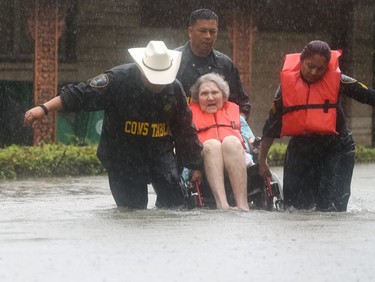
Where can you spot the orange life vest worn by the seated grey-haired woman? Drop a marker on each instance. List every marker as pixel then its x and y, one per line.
pixel 225 122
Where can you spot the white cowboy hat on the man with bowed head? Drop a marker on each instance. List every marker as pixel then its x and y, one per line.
pixel 158 64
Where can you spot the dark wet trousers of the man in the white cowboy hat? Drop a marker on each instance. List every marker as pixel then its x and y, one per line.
pixel 129 184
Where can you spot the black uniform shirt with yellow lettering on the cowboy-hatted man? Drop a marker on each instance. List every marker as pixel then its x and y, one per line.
pixel 138 125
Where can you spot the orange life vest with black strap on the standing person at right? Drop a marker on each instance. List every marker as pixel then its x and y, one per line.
pixel 309 108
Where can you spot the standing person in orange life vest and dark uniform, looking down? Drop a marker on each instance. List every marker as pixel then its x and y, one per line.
pixel 319 160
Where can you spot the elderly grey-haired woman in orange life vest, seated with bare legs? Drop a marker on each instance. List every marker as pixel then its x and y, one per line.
pixel 218 123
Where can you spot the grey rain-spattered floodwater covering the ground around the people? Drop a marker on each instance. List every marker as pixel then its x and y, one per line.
pixel 70 230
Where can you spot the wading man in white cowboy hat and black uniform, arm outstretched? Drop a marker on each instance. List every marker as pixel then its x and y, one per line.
pixel 146 118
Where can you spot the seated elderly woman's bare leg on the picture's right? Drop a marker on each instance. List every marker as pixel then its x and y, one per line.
pixel 235 165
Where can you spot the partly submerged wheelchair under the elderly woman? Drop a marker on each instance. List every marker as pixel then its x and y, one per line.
pixel 264 194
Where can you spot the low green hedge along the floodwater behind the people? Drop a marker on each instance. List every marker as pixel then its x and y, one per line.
pixel 73 160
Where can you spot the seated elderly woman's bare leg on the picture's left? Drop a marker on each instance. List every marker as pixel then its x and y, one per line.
pixel 214 168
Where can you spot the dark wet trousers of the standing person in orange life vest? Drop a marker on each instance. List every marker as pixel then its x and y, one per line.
pixel 318 172
